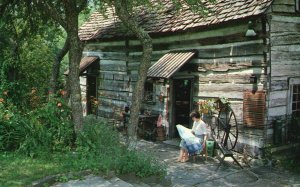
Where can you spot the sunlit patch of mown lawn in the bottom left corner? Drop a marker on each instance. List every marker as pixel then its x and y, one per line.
pixel 19 170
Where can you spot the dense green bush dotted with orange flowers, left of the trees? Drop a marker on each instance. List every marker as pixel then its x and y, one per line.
pixel 43 130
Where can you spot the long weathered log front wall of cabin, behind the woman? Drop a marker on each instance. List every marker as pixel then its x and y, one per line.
pixel 226 60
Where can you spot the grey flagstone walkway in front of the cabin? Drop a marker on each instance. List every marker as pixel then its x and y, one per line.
pixel 198 173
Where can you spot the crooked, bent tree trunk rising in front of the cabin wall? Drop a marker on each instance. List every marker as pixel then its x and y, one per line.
pixel 146 41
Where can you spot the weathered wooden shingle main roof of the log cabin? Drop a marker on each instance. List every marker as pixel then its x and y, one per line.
pixel 168 20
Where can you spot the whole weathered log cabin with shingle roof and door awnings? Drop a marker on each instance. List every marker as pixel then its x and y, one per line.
pixel 245 50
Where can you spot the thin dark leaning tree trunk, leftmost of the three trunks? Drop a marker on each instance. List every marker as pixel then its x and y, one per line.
pixel 56 66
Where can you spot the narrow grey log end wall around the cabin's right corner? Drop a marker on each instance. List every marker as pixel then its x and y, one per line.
pixel 285 61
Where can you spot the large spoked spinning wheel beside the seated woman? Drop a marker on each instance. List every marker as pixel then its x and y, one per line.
pixel 224 128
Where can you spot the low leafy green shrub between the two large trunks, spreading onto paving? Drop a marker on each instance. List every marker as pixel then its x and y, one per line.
pixel 100 143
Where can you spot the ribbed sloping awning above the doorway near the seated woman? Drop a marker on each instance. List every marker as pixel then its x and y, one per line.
pixel 170 63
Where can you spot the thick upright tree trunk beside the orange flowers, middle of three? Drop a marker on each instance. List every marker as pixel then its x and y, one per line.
pixel 75 53
